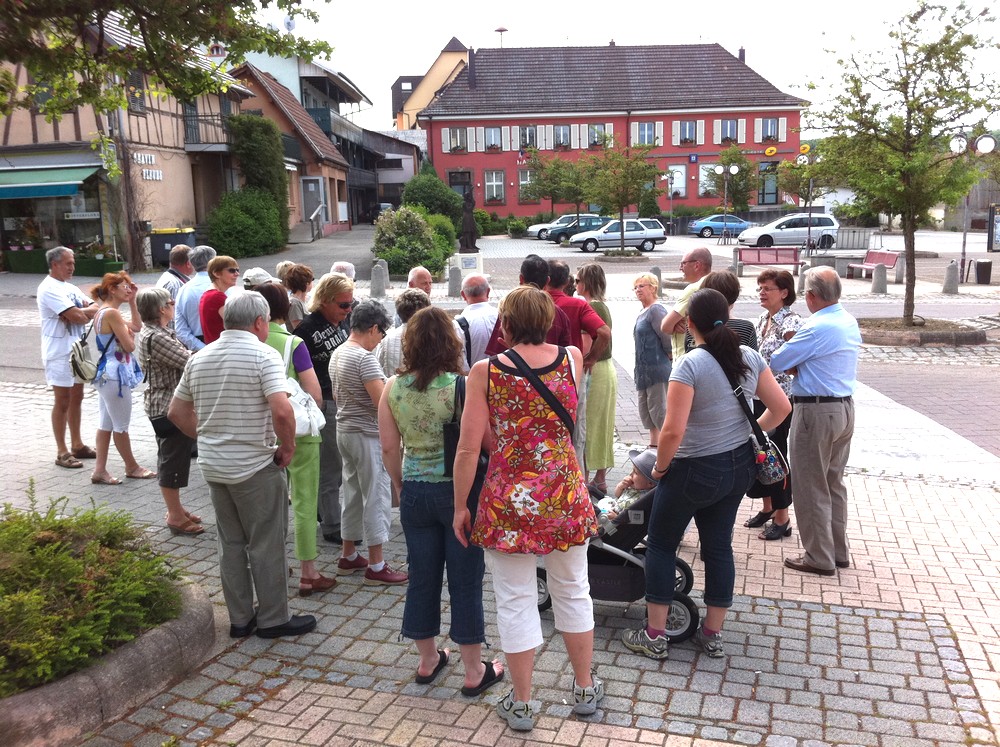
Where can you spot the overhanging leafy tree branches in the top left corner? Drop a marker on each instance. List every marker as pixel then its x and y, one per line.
pixel 74 49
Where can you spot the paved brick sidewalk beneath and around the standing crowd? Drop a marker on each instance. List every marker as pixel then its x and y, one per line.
pixel 900 649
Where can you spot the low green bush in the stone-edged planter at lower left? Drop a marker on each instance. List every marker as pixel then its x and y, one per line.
pixel 73 586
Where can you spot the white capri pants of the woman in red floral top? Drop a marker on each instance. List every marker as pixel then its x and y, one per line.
pixel 517 595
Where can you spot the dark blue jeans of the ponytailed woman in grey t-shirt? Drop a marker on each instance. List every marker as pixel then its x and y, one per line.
pixel 710 489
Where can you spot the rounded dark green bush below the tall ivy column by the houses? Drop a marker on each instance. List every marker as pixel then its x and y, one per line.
pixel 246 223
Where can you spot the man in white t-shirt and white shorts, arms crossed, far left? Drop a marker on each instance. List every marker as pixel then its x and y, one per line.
pixel 64 311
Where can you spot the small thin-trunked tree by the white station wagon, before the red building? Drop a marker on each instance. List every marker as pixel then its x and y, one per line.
pixel 618 177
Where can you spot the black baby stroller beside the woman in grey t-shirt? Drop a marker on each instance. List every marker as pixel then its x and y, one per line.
pixel 616 567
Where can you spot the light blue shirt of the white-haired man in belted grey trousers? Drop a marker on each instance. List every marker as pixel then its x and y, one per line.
pixel 825 353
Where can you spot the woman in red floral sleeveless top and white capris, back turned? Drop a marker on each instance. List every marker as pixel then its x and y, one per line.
pixel 534 500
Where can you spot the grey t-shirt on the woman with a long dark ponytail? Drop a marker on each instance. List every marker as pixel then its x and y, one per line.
pixel 717 423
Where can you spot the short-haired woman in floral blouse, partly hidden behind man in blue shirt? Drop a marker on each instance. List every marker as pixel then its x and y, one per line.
pixel 776 325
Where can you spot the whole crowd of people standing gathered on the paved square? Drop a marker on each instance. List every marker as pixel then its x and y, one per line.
pixel 531 387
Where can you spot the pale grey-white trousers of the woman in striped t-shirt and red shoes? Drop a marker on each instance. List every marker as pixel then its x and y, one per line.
pixel 366 492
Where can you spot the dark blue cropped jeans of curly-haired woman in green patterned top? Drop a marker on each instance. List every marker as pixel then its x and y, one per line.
pixel 426 510
